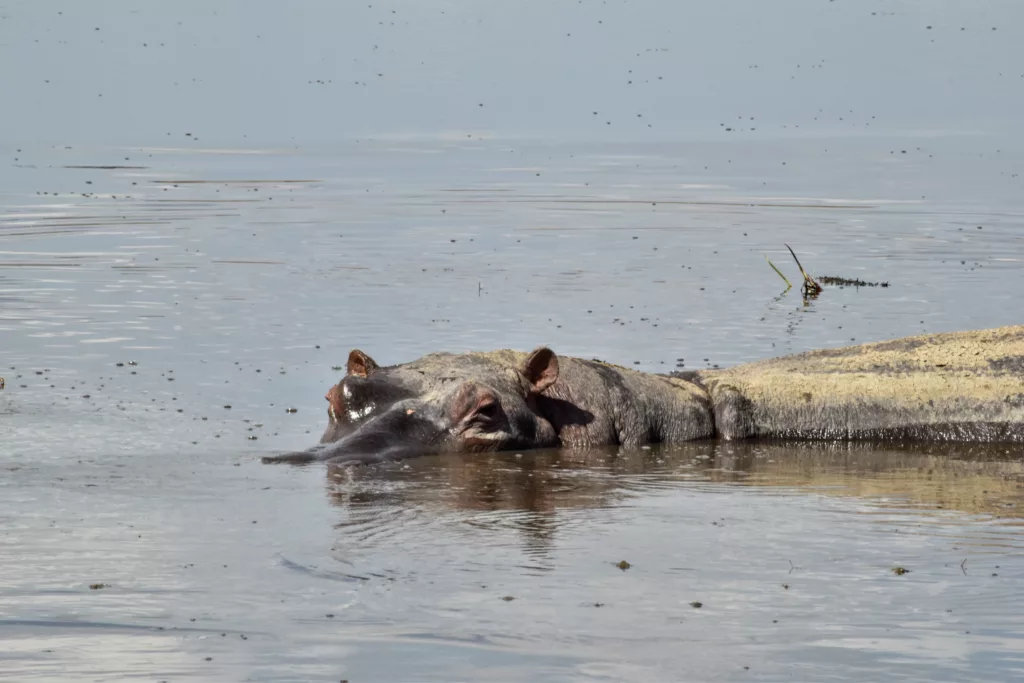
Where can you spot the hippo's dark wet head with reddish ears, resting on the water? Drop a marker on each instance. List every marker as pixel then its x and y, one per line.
pixel 440 404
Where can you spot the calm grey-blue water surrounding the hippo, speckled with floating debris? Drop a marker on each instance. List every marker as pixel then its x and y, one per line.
pixel 233 196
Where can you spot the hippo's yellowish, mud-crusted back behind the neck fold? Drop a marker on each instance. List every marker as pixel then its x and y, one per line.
pixel 965 387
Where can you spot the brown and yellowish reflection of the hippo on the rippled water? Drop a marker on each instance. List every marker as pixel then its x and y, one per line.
pixel 528 491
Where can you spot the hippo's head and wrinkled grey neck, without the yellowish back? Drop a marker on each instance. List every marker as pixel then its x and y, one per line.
pixel 500 401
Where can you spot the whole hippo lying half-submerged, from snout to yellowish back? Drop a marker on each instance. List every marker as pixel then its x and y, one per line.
pixel 955 388
